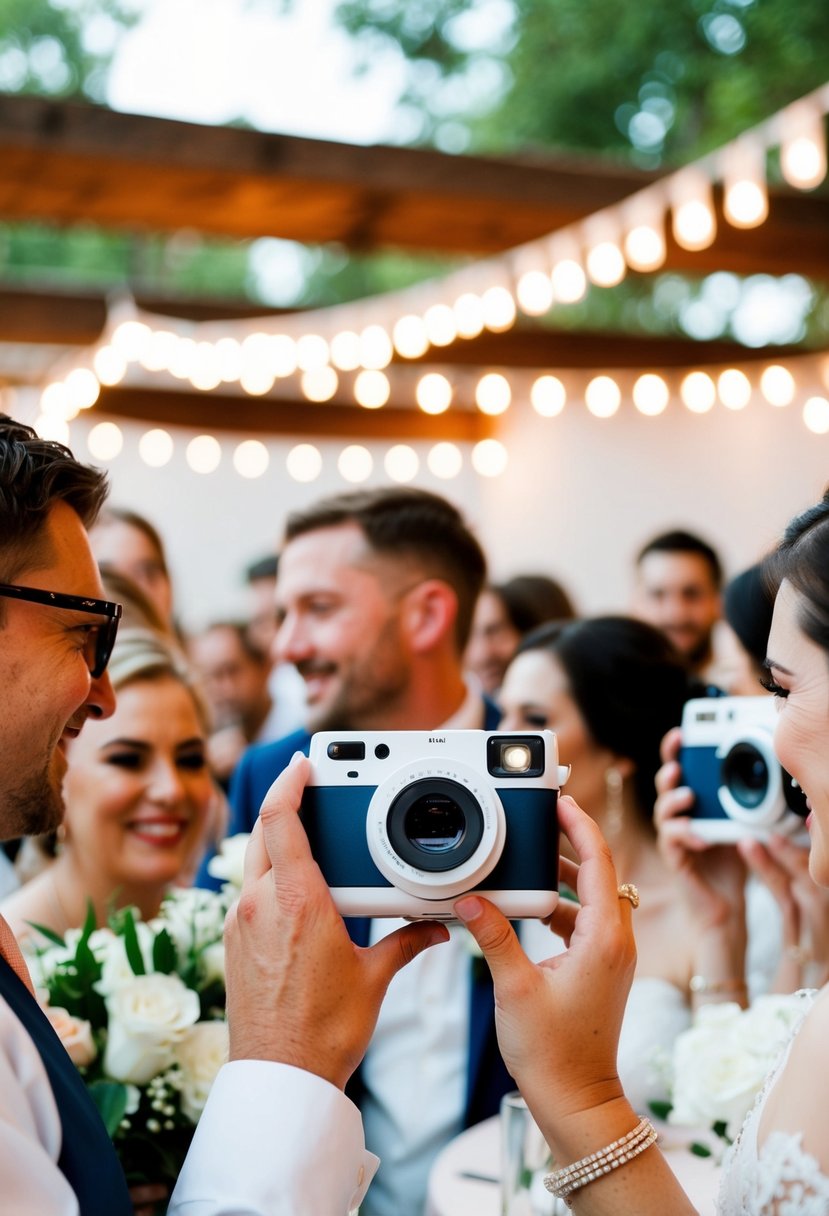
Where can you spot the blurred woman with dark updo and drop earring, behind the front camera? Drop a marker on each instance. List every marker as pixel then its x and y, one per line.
pixel 611 688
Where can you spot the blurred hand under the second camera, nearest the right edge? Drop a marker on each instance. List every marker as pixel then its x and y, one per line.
pixel 783 866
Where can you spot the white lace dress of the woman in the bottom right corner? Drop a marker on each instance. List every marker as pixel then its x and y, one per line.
pixel 781 1180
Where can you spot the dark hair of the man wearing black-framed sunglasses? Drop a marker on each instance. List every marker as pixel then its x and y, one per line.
pixel 35 475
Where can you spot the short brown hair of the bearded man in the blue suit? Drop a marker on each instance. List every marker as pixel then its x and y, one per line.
pixel 403 522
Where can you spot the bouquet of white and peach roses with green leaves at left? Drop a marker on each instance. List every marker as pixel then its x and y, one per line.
pixel 140 1007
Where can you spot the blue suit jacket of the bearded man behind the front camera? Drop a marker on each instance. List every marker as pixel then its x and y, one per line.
pixel 487 1074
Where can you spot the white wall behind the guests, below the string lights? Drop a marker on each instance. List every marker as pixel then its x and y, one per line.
pixel 578 500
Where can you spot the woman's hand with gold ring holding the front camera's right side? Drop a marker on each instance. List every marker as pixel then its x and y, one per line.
pixel 559 1022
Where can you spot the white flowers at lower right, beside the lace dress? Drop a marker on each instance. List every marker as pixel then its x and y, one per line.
pixel 721 1062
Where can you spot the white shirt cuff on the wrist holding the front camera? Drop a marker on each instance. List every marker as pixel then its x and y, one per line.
pixel 278 1141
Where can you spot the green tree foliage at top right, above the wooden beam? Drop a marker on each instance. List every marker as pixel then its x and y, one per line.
pixel 653 82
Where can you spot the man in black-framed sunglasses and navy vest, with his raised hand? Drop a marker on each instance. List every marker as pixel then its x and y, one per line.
pixel 278 1135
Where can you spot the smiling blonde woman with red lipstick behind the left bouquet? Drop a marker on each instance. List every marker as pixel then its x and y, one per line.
pixel 138 796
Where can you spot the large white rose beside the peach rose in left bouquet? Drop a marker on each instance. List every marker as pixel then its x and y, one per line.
pixel 148 1015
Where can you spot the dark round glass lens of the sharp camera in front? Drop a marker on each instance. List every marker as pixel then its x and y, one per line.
pixel 436 825
